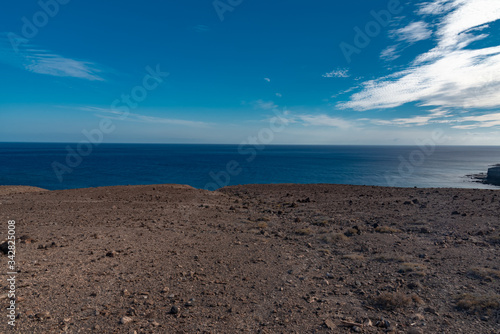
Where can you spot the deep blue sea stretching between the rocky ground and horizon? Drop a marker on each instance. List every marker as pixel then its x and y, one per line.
pixel 61 166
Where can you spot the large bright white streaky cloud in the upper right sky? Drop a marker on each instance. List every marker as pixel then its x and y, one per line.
pixel 450 75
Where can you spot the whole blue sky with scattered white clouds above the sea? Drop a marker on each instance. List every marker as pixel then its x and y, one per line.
pixel 359 72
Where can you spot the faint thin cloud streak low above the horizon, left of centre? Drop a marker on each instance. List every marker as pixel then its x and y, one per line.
pixel 109 113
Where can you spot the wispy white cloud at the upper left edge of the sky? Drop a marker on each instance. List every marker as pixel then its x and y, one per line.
pixel 37 60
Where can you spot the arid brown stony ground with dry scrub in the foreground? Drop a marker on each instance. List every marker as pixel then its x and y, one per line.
pixel 253 259
